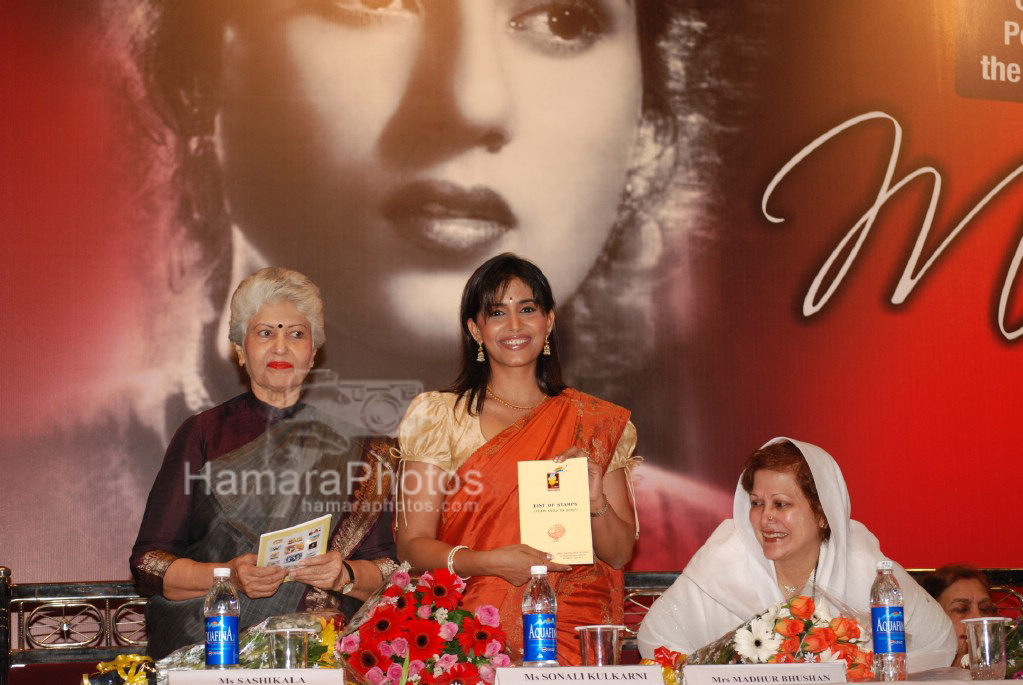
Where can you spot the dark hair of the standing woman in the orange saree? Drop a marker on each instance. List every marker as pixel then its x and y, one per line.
pixel 482 292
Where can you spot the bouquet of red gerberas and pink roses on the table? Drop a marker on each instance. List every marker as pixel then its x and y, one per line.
pixel 416 633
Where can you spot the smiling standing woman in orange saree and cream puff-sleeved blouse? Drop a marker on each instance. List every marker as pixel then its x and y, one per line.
pixel 510 404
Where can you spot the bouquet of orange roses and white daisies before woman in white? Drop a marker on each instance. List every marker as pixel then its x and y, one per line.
pixel 796 631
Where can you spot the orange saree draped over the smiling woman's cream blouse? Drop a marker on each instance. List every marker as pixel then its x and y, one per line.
pixel 483 514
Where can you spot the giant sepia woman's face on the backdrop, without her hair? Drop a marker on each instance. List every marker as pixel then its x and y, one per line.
pixel 387 149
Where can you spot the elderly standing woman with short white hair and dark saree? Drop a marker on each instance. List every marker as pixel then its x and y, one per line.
pixel 263 462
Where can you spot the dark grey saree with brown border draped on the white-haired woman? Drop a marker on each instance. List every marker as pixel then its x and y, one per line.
pixel 292 473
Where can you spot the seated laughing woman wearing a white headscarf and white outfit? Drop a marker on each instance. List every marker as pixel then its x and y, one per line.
pixel 791 534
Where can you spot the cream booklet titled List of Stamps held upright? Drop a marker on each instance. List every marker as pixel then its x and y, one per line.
pixel 554 510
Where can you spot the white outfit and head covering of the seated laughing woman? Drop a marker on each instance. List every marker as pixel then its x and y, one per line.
pixel 729 580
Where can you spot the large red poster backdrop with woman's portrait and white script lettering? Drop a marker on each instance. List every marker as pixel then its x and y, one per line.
pixel 765 219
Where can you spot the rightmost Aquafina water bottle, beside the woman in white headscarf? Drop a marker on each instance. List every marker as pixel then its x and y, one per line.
pixel 888 619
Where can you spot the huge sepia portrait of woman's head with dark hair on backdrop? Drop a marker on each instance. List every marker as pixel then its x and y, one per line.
pixel 387 149
